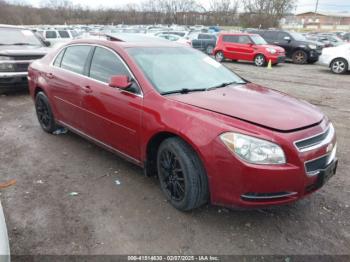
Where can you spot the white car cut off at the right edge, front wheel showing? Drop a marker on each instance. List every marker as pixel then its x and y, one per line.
pixel 336 58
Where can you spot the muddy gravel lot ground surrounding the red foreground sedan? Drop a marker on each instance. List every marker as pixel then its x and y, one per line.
pixel 119 211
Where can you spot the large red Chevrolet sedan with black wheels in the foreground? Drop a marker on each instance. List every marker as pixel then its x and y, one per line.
pixel 208 134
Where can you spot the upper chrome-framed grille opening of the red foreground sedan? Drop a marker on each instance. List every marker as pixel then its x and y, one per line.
pixel 316 141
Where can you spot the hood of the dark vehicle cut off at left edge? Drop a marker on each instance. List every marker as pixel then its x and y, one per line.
pixel 14 50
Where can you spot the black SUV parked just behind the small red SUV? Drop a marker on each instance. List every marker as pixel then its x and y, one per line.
pixel 298 48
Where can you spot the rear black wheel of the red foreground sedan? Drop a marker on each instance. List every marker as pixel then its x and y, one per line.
pixel 44 113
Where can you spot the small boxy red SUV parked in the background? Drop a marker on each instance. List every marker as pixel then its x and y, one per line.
pixel 248 47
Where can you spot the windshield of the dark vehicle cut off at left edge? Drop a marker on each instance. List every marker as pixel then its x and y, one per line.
pixel 10 36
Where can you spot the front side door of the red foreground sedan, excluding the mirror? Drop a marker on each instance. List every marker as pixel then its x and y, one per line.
pixel 113 116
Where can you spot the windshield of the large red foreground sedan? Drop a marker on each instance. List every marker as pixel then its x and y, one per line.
pixel 175 68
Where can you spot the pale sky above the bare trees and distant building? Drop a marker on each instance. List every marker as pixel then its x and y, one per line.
pixel 302 5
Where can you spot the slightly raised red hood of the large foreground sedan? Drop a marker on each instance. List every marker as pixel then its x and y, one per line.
pixel 256 104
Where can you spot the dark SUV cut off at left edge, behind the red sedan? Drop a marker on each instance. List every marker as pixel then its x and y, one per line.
pixel 18 48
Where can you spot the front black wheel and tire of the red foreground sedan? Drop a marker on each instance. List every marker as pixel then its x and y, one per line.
pixel 181 174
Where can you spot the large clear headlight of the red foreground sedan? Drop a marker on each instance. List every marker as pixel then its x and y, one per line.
pixel 254 150
